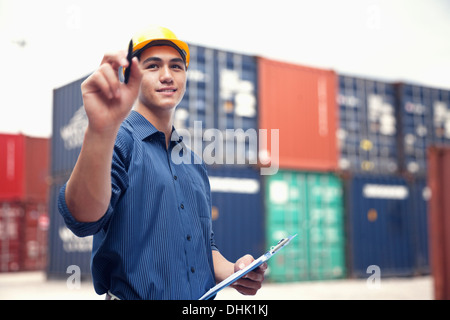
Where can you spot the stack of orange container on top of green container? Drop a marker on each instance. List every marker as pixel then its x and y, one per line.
pixel 305 196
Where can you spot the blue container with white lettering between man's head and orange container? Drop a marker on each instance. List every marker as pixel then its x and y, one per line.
pixel 220 96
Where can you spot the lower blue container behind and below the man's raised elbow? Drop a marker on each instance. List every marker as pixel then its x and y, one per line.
pixel 65 249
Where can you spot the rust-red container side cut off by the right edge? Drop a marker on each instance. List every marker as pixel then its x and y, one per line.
pixel 439 182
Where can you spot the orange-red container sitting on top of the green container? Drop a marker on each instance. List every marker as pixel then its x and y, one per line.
pixel 300 102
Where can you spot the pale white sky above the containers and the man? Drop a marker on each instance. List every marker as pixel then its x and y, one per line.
pixel 49 43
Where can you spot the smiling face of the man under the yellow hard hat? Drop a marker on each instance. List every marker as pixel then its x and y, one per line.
pixel 164 78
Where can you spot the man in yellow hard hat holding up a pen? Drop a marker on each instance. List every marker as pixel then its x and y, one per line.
pixel 150 217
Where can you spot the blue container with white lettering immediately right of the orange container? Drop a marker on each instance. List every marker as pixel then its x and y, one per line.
pixel 367 133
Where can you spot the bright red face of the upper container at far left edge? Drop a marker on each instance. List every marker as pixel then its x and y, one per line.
pixel 12 167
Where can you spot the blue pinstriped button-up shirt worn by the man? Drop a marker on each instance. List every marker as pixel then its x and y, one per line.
pixel 155 240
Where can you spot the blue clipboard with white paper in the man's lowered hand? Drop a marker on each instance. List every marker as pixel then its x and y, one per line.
pixel 255 264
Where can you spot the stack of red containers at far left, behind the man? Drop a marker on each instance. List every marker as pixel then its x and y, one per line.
pixel 23 202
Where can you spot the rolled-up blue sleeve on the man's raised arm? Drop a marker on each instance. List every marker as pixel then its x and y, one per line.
pixel 119 183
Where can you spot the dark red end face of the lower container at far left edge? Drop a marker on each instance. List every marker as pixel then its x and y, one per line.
pixel 10 231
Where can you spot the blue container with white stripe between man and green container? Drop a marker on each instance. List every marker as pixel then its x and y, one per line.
pixel 238 212
